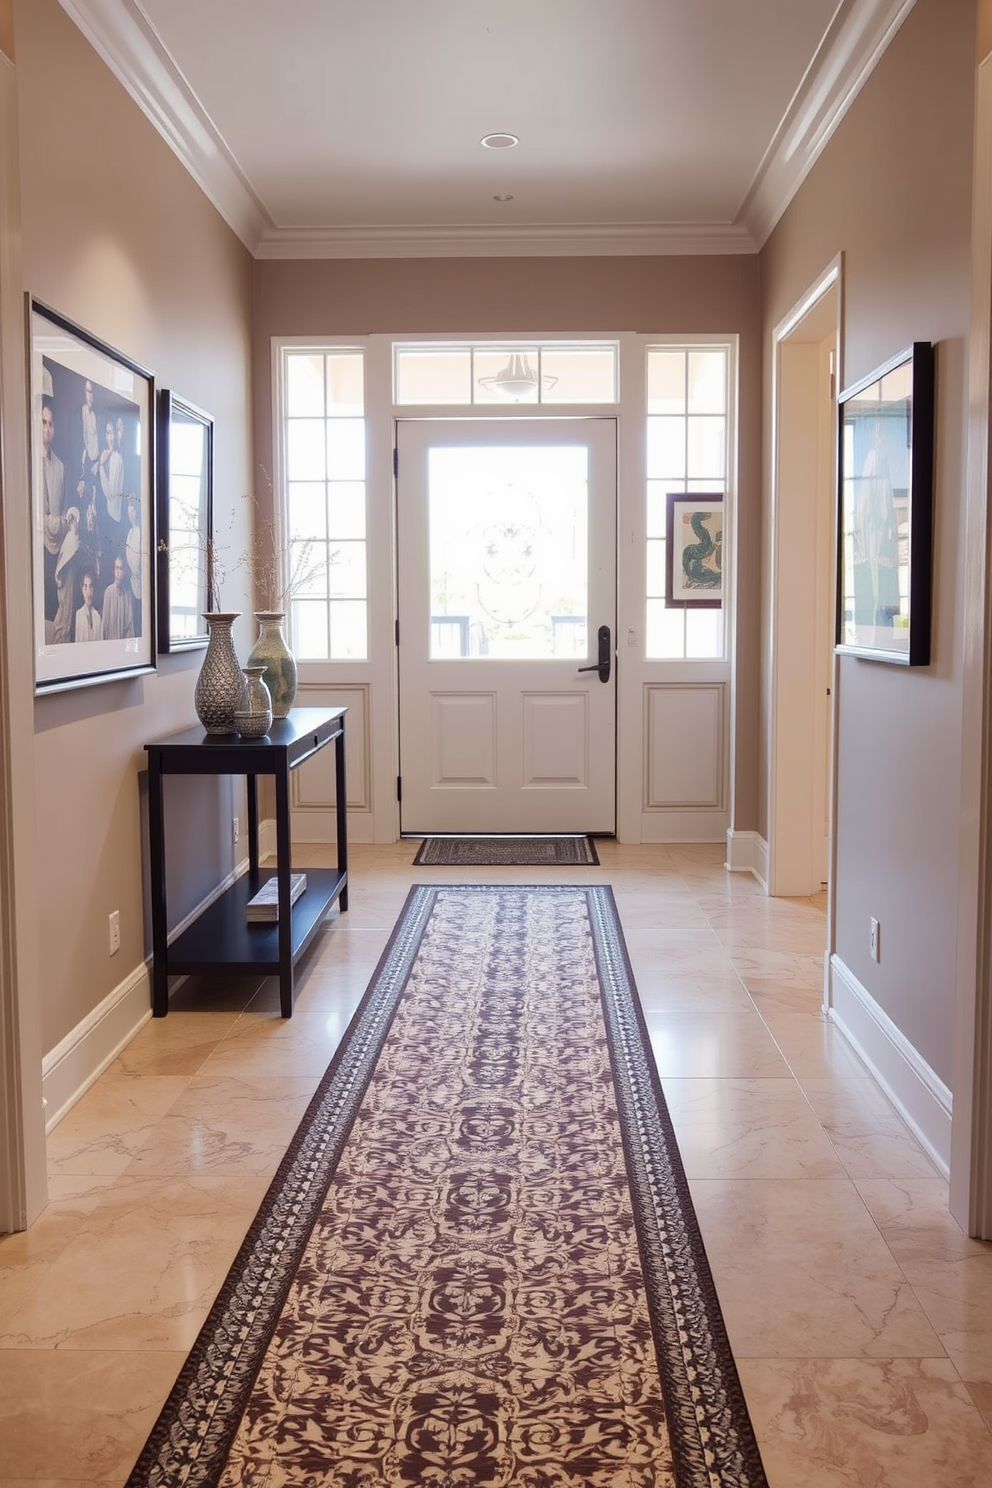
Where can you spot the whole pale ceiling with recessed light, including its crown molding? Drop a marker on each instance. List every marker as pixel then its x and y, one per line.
pixel 352 129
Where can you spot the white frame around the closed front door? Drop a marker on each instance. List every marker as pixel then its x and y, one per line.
pixel 478 417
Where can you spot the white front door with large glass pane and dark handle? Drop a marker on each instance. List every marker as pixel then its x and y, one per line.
pixel 506 593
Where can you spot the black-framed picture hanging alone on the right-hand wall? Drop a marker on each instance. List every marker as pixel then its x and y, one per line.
pixel 886 466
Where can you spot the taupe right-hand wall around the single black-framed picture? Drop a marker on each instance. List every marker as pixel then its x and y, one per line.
pixel 893 193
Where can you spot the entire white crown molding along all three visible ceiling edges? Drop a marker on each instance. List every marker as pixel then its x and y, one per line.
pixel 124 38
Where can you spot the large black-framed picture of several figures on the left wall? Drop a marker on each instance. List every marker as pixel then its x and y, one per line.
pixel 93 513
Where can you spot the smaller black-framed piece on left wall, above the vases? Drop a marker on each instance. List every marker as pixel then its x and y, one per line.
pixel 185 522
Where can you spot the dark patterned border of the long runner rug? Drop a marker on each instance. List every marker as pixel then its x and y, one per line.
pixel 710 1429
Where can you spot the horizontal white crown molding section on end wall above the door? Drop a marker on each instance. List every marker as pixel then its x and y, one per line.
pixel 530 242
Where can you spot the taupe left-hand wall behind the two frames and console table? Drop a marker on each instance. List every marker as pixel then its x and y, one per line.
pixel 120 239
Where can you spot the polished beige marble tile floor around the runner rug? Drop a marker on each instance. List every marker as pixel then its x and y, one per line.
pixel 860 1315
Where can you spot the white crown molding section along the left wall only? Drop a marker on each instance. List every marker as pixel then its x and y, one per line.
pixel 123 35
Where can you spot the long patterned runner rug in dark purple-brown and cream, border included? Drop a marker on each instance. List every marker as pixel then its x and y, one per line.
pixel 478 1263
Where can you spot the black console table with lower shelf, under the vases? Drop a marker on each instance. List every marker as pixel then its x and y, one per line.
pixel 221 940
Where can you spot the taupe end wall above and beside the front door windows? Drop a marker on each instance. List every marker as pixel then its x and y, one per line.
pixel 554 297
